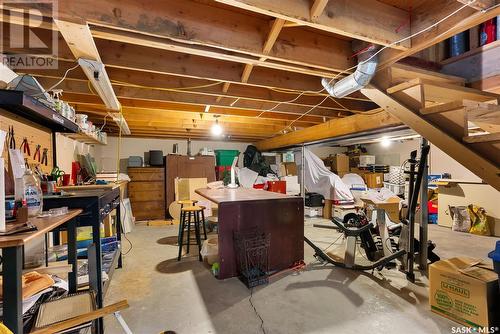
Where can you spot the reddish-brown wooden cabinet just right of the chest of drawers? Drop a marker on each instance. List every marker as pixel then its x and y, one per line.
pixel 183 166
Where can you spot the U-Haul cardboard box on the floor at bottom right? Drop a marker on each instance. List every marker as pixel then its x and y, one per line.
pixel 464 290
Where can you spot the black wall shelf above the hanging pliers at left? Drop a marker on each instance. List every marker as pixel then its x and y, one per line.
pixel 30 108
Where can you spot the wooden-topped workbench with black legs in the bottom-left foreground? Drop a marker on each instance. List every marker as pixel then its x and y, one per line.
pixel 12 263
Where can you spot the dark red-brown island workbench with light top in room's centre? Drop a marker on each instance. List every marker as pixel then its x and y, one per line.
pixel 244 209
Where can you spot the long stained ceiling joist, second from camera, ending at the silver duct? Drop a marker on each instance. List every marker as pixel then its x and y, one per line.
pixel 194 23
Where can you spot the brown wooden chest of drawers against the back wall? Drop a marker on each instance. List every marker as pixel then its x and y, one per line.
pixel 146 192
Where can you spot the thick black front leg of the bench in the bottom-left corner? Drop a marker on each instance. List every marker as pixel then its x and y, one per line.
pixel 12 296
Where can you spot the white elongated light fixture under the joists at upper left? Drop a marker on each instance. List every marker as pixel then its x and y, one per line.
pixel 96 73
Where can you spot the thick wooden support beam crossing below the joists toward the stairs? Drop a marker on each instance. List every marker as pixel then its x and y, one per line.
pixel 331 129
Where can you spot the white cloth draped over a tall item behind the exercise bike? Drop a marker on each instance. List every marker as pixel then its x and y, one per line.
pixel 320 180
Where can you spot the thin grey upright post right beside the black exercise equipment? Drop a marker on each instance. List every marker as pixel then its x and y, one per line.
pixel 424 219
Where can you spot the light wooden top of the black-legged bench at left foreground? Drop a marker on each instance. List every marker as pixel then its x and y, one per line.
pixel 44 225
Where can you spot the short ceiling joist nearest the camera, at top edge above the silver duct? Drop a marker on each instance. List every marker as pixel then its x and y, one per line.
pixel 367 20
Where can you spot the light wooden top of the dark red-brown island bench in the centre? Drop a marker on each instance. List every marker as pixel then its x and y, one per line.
pixel 239 195
